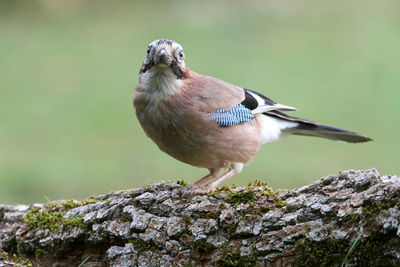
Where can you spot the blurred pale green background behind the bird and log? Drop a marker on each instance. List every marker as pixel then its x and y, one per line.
pixel 68 70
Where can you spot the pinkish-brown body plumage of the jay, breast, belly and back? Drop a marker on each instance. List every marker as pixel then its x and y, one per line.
pixel 180 125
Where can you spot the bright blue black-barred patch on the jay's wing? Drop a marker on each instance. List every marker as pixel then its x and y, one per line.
pixel 229 117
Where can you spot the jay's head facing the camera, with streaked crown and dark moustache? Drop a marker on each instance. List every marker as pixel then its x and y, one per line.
pixel 165 53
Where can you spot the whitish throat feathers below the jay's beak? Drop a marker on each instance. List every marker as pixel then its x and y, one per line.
pixel 159 82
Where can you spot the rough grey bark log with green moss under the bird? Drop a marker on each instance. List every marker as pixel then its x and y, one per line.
pixel 162 225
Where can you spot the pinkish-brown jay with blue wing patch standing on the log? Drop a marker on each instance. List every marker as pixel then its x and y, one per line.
pixel 209 123
